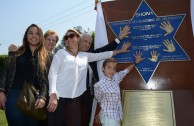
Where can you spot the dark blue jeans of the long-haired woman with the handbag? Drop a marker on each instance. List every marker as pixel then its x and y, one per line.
pixel 13 115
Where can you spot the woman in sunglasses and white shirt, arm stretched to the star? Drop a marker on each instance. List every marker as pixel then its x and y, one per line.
pixel 67 80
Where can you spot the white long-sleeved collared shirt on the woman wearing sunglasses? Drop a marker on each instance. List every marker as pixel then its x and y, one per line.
pixel 67 74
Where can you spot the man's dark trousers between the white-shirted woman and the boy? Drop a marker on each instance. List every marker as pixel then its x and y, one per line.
pixel 86 107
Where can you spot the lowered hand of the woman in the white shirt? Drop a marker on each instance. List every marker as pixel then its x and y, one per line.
pixel 53 103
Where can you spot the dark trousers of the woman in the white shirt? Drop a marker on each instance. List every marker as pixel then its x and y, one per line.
pixel 68 113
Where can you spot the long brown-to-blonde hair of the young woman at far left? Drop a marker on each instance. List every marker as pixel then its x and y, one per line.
pixel 41 50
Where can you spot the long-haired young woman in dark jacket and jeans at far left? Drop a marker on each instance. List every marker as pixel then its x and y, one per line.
pixel 29 63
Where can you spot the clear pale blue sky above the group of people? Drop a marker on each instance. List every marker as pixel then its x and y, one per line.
pixel 57 15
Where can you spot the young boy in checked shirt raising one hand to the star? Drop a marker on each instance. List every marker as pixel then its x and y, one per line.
pixel 107 91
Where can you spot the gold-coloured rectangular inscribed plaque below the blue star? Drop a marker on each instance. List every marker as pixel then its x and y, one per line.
pixel 148 108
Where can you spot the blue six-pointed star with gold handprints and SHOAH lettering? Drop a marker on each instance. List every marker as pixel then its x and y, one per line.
pixel 153 36
